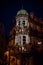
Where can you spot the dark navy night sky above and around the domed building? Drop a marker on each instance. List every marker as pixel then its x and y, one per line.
pixel 8 10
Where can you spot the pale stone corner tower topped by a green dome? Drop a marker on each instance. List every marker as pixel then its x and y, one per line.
pixel 22 29
